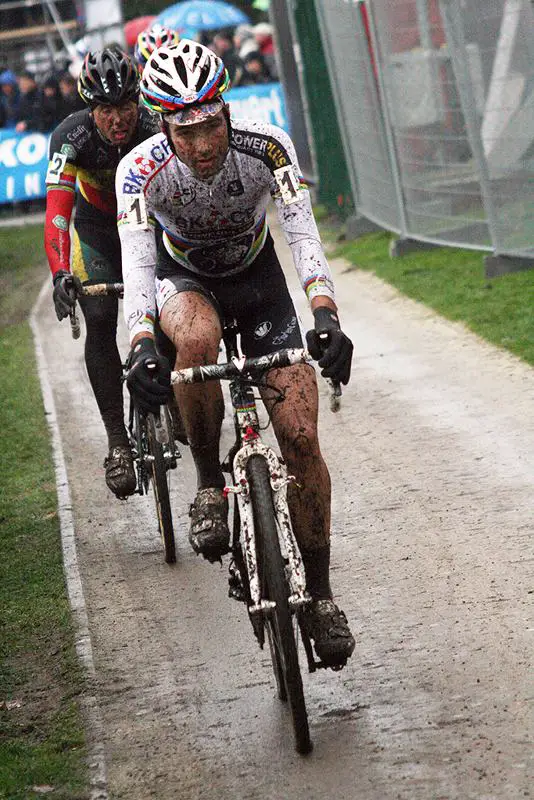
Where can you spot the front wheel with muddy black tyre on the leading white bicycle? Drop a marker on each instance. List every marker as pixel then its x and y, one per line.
pixel 274 587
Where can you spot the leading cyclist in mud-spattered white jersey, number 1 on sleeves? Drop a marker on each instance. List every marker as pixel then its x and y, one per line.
pixel 206 181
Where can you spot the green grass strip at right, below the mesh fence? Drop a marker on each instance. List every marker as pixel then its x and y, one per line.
pixel 452 282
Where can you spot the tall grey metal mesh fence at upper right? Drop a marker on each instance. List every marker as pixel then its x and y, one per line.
pixel 435 99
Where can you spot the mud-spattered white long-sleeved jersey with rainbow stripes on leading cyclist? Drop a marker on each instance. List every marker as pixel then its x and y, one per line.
pixel 214 228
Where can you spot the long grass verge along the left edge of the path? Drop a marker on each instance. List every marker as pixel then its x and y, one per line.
pixel 41 733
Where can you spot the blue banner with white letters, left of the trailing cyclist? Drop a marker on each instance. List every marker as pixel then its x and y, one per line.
pixel 23 165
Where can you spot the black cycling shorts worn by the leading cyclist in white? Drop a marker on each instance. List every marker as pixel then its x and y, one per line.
pixel 257 298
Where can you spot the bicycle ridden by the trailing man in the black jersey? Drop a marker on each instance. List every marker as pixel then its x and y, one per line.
pixel 154 448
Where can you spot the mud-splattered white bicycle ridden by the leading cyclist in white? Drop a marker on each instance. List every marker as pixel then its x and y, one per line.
pixel 266 570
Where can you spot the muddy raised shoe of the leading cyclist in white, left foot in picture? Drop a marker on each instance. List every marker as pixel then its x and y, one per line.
pixel 209 534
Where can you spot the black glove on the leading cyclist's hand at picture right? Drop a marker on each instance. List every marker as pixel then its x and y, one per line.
pixel 329 346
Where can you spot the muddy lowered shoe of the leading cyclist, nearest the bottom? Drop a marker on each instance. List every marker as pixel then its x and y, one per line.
pixel 327 625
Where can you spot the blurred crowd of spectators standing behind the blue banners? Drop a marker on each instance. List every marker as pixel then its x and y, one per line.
pixel 28 104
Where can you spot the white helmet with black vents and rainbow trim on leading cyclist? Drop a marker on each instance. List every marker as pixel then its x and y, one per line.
pixel 182 75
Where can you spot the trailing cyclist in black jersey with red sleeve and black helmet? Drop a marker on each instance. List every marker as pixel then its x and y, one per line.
pixel 85 149
